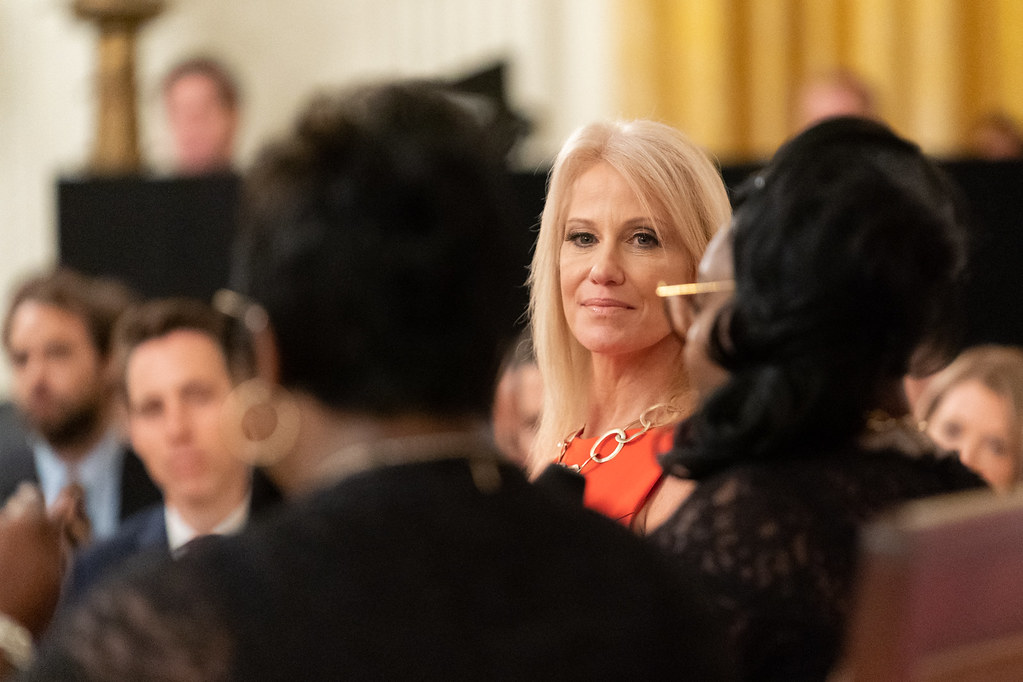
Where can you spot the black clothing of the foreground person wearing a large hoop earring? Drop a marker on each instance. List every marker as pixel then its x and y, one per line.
pixel 426 571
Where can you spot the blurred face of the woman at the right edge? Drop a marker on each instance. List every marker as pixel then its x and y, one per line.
pixel 977 424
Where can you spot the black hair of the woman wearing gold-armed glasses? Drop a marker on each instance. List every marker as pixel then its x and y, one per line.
pixel 850 257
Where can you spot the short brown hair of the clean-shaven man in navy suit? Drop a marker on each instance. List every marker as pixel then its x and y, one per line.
pixel 158 319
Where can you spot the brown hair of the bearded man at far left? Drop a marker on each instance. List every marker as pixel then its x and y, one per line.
pixel 97 301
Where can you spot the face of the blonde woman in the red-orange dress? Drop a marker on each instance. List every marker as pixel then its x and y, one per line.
pixel 613 256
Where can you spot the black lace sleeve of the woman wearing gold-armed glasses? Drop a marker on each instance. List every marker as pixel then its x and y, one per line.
pixel 780 580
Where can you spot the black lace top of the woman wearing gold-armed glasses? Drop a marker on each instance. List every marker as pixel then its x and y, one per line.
pixel 776 547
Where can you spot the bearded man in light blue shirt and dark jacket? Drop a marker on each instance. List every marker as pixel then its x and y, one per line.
pixel 58 337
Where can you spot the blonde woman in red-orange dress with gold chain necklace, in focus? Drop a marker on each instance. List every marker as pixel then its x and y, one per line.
pixel 630 205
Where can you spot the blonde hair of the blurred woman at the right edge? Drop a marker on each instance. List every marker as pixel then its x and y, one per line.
pixel 1000 369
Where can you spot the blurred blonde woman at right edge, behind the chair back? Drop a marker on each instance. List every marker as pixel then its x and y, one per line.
pixel 975 407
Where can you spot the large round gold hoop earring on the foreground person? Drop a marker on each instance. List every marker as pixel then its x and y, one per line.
pixel 259 423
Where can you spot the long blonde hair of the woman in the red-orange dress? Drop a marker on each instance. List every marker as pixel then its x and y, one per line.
pixel 676 181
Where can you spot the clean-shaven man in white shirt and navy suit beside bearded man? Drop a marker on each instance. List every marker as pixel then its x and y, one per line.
pixel 180 366
